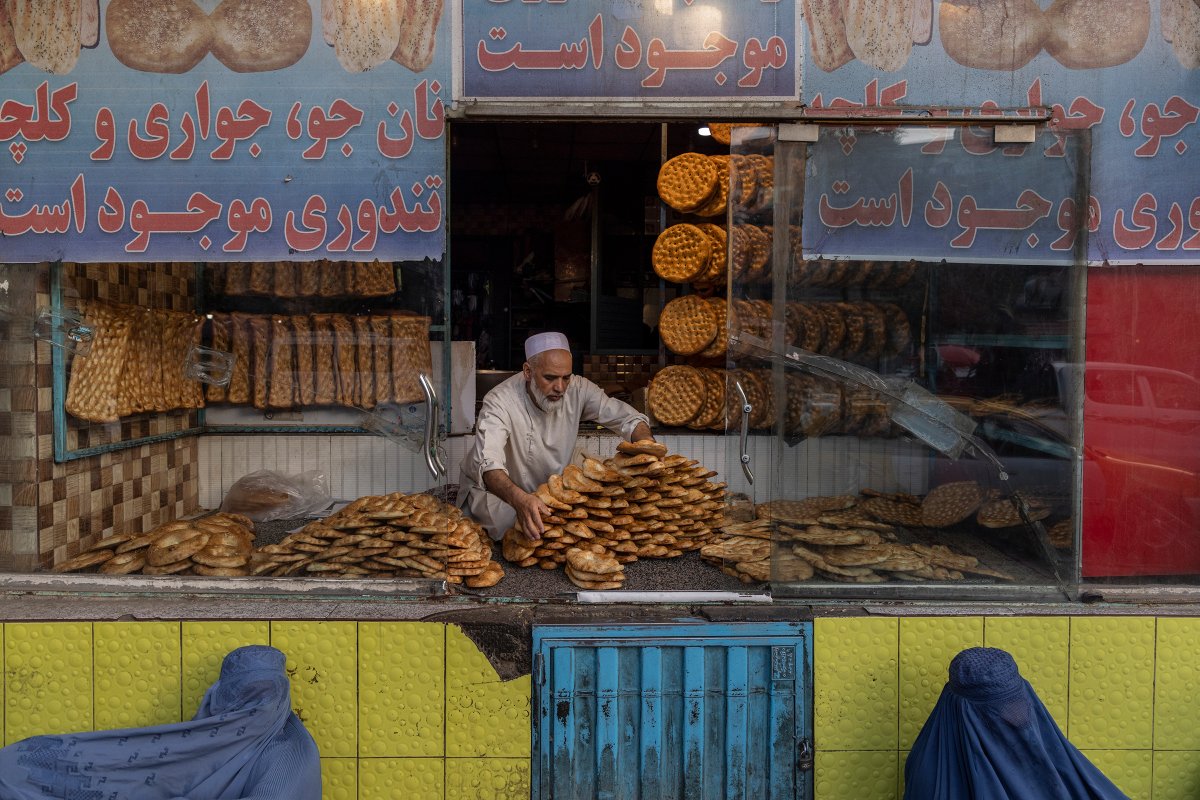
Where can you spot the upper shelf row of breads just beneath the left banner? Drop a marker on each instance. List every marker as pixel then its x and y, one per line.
pixel 285 280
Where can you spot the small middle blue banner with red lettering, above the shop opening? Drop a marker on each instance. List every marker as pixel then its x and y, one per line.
pixel 647 51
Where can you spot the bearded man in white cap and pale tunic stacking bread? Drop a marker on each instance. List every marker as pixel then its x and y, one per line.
pixel 526 432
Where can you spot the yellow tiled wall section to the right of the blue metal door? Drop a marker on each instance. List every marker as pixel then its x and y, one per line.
pixel 1121 688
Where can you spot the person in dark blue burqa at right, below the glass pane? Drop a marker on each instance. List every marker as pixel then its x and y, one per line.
pixel 991 738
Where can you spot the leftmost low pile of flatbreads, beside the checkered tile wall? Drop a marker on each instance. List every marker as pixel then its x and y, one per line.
pixel 220 545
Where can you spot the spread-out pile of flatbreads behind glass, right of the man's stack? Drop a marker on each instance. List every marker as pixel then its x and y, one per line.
pixel 844 539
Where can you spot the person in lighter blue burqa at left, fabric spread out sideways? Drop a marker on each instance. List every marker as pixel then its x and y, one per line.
pixel 243 744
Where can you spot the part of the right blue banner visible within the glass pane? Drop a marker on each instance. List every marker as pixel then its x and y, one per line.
pixel 937 194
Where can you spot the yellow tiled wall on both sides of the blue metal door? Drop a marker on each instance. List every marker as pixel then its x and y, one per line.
pixel 415 711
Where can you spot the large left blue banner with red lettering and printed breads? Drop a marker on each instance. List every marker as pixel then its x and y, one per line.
pixel 206 133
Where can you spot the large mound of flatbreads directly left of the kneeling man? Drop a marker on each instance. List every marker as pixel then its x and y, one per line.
pixel 387 537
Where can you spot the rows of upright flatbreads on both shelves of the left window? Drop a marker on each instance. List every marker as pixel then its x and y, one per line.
pixel 146 360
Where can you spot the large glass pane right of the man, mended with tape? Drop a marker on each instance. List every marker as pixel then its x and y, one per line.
pixel 907 333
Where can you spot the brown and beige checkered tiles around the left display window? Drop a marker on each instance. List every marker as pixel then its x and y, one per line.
pixel 50 512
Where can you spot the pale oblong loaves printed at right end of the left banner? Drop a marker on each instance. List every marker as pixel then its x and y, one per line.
pixel 365 34
